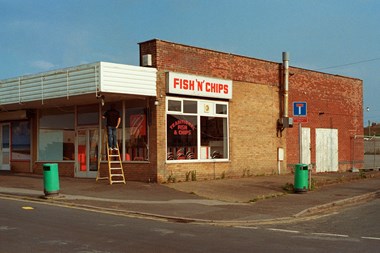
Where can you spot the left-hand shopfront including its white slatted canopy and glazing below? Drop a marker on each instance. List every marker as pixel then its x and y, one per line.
pixel 64 123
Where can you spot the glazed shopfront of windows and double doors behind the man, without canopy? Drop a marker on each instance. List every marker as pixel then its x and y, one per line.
pixel 76 134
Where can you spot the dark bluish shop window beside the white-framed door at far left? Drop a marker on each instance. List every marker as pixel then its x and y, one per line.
pixel 21 140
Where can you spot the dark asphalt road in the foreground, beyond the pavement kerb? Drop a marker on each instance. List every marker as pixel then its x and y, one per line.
pixel 35 227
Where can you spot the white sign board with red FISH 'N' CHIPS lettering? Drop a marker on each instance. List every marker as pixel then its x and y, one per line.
pixel 201 86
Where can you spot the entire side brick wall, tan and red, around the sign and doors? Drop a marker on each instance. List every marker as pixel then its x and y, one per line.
pixel 255 109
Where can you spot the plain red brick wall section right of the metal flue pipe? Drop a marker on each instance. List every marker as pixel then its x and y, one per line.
pixel 333 102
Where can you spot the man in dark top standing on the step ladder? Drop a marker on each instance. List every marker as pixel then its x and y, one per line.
pixel 113 119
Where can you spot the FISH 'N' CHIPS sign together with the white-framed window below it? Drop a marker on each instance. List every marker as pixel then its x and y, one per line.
pixel 197 129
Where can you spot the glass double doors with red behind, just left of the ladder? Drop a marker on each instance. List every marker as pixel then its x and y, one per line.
pixel 87 152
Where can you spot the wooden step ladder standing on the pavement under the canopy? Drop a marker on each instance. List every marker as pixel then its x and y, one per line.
pixel 115 166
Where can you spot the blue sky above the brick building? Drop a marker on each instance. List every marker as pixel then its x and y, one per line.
pixel 41 35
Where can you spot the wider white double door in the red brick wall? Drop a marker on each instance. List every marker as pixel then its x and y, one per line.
pixel 326 150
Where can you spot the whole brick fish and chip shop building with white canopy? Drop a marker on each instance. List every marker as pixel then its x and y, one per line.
pixel 186 112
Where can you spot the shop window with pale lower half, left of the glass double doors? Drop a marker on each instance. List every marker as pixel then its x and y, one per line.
pixel 56 134
